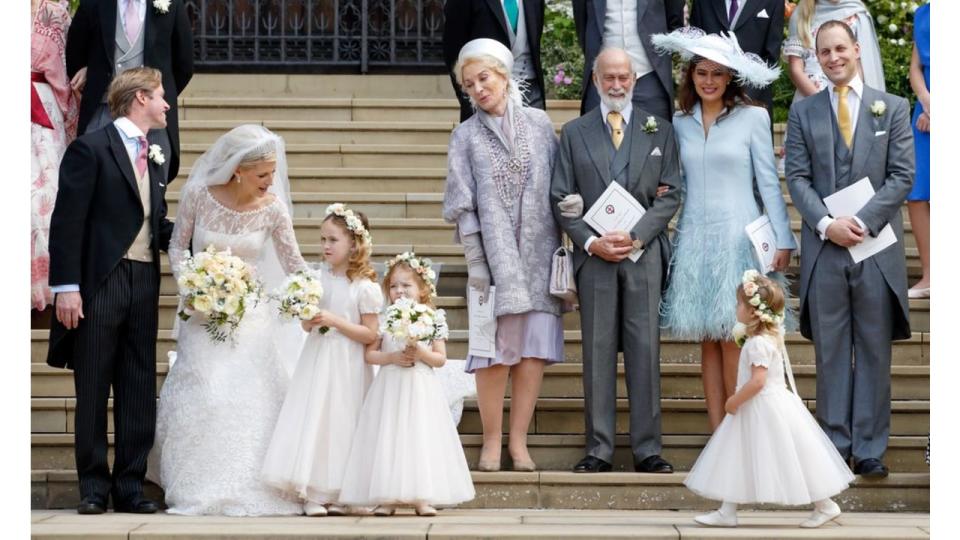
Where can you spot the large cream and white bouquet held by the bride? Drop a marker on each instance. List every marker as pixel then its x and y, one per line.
pixel 218 286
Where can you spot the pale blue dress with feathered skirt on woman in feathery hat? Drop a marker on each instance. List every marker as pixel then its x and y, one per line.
pixel 711 249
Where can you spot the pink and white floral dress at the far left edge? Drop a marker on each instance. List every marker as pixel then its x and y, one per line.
pixel 47 43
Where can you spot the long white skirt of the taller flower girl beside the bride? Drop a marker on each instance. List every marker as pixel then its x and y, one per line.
pixel 313 434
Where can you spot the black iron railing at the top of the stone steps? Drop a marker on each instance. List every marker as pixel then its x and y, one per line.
pixel 317 35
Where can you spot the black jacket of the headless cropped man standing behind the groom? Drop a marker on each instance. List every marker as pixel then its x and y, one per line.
pixel 168 46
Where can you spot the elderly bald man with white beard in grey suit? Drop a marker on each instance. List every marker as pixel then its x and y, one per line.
pixel 619 298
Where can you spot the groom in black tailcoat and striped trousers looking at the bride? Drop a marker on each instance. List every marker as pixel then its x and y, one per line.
pixel 108 227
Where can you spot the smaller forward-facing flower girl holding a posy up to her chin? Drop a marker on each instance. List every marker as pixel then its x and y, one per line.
pixel 406 450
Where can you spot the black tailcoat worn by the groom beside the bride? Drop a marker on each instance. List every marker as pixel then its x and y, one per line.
pixel 97 215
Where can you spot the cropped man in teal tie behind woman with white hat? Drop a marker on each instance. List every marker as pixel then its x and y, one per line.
pixel 518 24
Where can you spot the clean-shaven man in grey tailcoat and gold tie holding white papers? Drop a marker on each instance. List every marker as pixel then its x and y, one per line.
pixel 851 311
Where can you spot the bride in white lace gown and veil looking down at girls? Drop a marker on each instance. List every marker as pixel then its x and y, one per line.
pixel 220 401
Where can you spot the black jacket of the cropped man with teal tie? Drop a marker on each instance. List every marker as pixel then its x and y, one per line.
pixel 471 19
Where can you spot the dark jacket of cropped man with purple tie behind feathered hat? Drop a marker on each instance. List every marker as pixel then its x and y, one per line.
pixel 762 36
